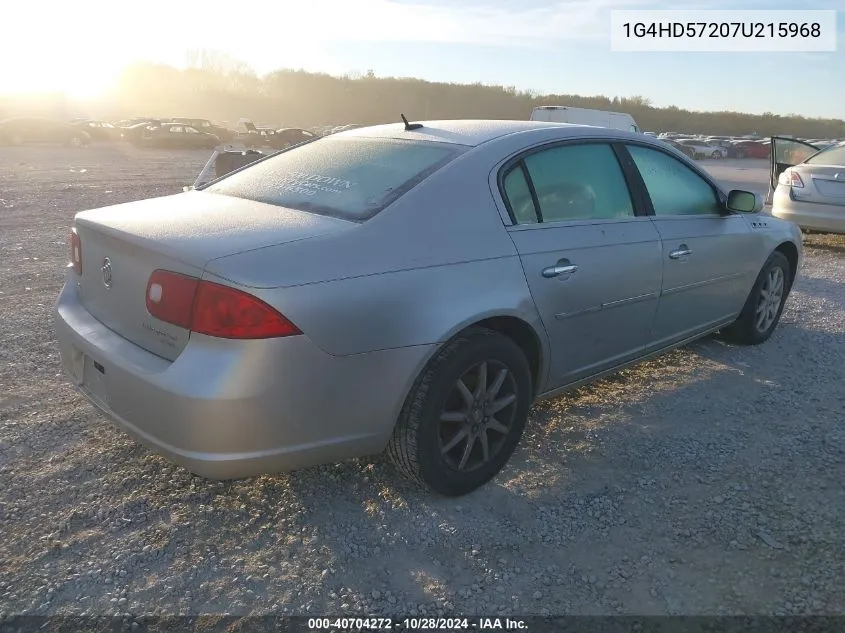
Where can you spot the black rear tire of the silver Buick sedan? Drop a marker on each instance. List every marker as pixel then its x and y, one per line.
pixel 416 447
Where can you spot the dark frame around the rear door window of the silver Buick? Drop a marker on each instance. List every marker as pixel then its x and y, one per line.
pixel 630 176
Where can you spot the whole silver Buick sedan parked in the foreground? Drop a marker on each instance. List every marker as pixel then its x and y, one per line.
pixel 243 332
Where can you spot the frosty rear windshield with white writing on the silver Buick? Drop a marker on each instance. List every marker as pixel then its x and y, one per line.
pixel 350 178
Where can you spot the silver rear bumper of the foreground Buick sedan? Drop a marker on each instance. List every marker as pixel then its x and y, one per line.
pixel 228 409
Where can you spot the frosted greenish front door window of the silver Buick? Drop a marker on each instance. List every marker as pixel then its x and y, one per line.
pixel 674 188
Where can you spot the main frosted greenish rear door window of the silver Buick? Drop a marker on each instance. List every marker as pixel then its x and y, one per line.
pixel 579 182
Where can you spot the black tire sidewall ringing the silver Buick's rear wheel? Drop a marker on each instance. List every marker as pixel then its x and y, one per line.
pixel 434 470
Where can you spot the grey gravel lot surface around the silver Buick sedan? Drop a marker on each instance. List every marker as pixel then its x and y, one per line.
pixel 708 481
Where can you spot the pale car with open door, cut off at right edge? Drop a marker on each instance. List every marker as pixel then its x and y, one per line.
pixel 808 184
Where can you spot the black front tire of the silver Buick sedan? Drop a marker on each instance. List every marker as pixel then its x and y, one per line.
pixel 748 328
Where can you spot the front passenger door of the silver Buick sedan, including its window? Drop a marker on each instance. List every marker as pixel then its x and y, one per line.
pixel 709 255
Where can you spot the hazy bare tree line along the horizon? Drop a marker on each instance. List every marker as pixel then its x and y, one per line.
pixel 217 86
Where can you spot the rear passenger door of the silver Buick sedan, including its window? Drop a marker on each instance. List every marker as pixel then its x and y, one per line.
pixel 593 265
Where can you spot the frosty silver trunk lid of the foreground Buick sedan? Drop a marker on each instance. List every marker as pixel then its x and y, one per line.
pixel 122 245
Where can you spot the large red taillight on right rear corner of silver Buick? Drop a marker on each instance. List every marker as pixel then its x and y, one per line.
pixel 213 309
